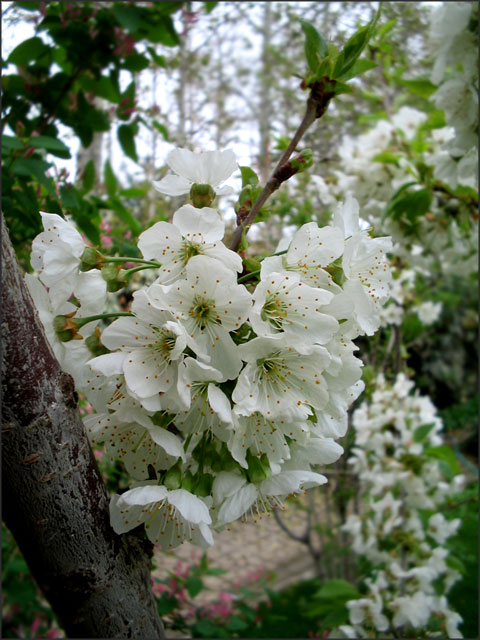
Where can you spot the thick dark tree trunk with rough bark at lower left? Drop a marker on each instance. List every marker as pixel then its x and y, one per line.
pixel 54 500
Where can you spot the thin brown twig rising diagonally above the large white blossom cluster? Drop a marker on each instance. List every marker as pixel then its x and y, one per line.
pixel 317 104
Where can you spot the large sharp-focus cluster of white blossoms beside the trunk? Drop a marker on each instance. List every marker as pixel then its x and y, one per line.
pixel 219 392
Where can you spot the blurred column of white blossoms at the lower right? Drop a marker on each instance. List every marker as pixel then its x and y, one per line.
pixel 401 531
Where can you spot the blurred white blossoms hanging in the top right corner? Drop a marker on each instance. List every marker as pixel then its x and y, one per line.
pixel 454 47
